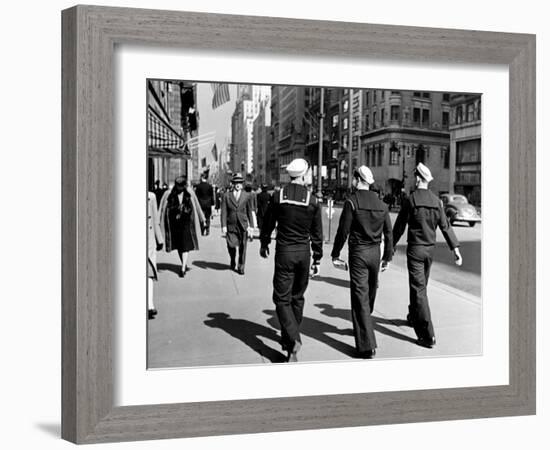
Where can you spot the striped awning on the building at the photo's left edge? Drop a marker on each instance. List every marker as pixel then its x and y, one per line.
pixel 163 139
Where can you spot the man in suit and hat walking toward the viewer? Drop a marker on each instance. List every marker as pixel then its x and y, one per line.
pixel 236 221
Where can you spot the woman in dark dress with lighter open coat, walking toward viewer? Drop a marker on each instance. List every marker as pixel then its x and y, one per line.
pixel 181 218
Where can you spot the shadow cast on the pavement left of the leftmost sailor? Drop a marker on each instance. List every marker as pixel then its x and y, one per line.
pixel 248 333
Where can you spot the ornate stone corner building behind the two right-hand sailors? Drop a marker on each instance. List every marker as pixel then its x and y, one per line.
pixel 401 129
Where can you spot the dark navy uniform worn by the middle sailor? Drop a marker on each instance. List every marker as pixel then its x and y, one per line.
pixel 365 218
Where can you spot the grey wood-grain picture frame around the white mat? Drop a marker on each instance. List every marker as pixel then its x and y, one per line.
pixel 89 36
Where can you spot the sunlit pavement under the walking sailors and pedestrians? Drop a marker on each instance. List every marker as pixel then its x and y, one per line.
pixel 215 317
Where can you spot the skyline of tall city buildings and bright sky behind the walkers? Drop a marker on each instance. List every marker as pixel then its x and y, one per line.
pixel 390 131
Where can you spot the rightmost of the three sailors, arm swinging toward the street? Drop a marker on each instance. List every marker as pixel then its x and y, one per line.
pixel 422 212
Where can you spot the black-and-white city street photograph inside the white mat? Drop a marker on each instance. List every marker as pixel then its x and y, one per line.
pixel 306 224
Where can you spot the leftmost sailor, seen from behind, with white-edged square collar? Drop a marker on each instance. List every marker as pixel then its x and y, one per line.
pixel 297 216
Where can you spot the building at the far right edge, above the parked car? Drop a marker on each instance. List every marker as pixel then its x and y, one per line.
pixel 465 147
